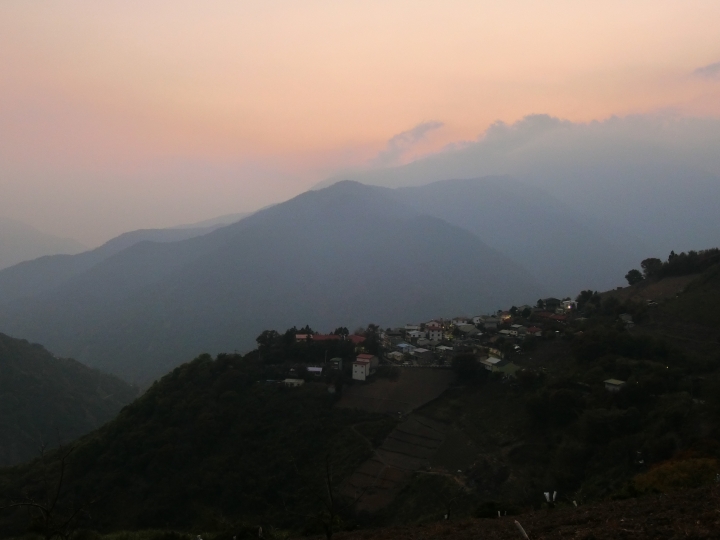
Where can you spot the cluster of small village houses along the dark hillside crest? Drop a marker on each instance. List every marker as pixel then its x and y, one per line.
pixel 499 342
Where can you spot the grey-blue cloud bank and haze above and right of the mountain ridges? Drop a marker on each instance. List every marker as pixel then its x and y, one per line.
pixel 650 182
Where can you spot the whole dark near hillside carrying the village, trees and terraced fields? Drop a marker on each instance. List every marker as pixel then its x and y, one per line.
pixel 612 395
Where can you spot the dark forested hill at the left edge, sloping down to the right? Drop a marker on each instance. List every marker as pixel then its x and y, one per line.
pixel 43 398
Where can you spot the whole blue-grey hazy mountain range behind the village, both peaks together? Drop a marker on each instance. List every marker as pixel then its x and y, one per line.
pixel 346 255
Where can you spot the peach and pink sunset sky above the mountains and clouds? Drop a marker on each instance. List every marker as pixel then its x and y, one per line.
pixel 117 115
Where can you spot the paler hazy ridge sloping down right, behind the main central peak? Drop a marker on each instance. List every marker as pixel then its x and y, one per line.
pixel 556 244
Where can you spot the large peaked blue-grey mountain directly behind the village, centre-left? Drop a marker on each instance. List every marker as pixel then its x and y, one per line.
pixel 349 254
